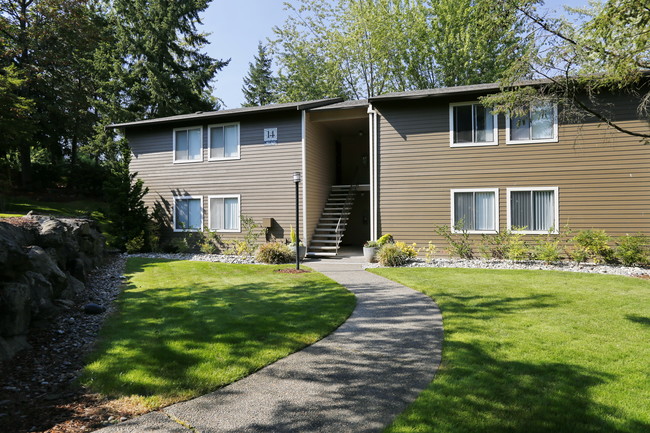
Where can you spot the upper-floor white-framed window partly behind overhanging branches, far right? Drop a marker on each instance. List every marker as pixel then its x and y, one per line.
pixel 538 126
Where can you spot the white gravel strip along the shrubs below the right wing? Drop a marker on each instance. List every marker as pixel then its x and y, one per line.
pixel 535 265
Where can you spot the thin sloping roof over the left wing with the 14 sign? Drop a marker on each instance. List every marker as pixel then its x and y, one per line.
pixel 222 113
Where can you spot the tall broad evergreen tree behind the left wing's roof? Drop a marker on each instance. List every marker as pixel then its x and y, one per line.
pixel 155 64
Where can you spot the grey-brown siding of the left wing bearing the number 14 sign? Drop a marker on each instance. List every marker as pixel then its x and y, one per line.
pixel 262 176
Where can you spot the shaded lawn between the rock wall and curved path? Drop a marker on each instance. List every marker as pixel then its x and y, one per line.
pixel 186 328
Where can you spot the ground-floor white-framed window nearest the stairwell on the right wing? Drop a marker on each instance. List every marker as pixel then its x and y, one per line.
pixel 475 210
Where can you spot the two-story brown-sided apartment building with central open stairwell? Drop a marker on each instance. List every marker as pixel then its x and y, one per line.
pixel 399 163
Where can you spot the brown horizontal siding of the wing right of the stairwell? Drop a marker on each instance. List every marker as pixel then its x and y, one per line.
pixel 603 176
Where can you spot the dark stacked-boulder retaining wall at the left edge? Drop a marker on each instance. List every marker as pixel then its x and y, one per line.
pixel 44 263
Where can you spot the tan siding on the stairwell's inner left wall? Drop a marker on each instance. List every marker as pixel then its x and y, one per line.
pixel 320 160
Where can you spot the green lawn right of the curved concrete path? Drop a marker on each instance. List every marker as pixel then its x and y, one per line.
pixel 534 351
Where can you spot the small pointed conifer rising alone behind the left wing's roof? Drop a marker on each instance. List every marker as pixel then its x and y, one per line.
pixel 259 86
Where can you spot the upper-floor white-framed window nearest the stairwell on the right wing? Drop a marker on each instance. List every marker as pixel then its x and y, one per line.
pixel 472 124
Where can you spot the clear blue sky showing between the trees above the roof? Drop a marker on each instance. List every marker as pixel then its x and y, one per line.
pixel 237 26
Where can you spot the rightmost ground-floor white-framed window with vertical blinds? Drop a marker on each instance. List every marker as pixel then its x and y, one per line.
pixel 533 210
